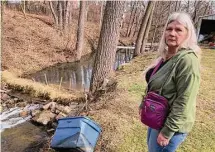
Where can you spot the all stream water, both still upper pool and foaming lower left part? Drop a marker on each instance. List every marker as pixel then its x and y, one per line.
pixel 18 134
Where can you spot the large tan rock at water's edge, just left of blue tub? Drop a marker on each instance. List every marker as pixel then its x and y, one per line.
pixel 44 117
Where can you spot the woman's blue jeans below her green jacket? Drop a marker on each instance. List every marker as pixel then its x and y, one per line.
pixel 174 142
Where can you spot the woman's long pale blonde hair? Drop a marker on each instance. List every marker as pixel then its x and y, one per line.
pixel 189 43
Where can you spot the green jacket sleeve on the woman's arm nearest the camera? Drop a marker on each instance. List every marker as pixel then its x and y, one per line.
pixel 187 81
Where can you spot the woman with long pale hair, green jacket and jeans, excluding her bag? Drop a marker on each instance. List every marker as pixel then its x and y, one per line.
pixel 181 82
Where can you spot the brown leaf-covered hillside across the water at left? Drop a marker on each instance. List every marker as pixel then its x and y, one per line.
pixel 32 43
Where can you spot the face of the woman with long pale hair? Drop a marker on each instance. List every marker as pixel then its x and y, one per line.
pixel 175 34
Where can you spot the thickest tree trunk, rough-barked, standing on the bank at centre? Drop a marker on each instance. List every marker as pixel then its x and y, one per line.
pixel 109 36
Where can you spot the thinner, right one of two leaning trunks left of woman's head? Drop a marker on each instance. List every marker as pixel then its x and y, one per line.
pixel 147 30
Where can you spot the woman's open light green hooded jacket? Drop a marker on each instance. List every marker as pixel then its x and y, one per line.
pixel 180 88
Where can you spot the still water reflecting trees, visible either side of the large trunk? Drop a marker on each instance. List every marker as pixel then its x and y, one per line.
pixel 77 75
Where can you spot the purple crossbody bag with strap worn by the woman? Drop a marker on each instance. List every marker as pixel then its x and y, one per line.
pixel 155 107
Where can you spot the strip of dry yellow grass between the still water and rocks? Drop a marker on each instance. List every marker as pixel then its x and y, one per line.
pixel 36 89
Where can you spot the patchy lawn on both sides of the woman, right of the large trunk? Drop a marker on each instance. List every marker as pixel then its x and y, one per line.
pixel 127 134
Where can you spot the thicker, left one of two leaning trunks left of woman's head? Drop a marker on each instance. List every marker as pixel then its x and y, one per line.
pixel 142 30
